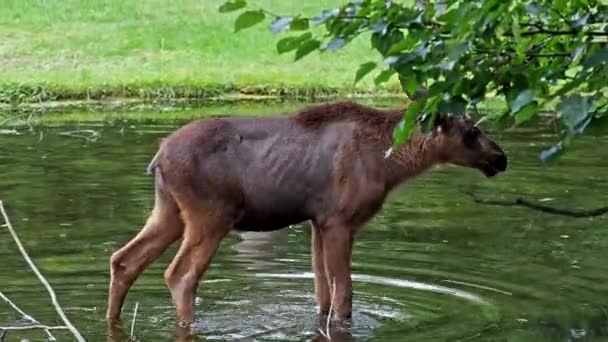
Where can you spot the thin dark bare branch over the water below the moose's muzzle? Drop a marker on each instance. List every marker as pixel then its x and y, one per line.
pixel 522 202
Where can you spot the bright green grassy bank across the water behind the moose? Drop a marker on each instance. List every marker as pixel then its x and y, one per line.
pixel 88 49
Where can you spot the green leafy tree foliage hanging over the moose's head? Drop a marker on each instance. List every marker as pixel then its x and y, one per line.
pixel 537 55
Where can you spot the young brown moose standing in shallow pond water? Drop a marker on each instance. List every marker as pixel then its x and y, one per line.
pixel 325 164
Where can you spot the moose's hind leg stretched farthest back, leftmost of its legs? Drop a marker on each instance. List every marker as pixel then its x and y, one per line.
pixel 162 228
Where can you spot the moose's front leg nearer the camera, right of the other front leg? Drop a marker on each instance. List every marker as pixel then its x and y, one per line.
pixel 337 249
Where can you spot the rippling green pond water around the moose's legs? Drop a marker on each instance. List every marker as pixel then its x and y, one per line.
pixel 432 266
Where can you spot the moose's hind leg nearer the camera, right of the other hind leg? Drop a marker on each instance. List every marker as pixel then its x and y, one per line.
pixel 202 237
